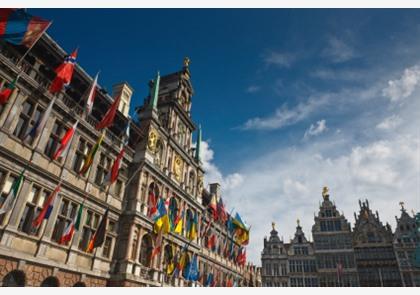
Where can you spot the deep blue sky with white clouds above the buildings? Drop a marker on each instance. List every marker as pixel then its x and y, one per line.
pixel 289 100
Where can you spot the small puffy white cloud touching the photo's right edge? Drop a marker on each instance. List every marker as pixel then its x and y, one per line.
pixel 403 87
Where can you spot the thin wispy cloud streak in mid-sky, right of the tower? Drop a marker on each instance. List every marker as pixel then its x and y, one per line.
pixel 285 116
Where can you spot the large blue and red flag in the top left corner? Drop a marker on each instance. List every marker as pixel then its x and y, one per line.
pixel 21 28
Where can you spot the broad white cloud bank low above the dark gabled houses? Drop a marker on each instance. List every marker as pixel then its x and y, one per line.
pixel 356 163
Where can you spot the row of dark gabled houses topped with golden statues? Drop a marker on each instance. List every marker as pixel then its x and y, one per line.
pixel 370 255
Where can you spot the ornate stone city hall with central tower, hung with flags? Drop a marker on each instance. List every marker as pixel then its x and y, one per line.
pixel 159 160
